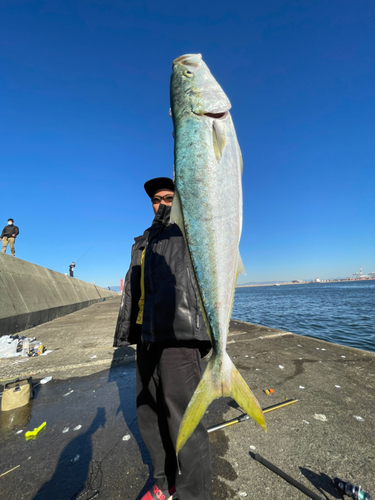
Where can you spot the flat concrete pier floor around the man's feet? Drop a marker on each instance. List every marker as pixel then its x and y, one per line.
pixel 330 432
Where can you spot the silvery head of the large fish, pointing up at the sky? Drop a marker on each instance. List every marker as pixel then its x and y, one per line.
pixel 194 89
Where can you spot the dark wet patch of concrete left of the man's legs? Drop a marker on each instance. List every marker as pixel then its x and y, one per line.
pixel 105 455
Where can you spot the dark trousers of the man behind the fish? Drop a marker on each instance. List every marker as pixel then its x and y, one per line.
pixel 166 379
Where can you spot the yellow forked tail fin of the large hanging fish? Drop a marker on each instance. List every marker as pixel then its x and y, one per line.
pixel 218 381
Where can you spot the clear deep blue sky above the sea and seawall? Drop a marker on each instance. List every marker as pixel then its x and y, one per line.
pixel 84 123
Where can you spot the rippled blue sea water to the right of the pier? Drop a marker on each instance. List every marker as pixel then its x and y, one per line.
pixel 343 312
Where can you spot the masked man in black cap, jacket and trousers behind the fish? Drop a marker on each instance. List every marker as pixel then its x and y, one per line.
pixel 160 312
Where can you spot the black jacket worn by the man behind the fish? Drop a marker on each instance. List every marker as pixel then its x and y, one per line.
pixel 171 309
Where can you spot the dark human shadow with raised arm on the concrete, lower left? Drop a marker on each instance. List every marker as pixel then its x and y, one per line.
pixel 72 468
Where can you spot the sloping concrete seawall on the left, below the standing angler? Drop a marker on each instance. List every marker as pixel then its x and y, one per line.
pixel 31 295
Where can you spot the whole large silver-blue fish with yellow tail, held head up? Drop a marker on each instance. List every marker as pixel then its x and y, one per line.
pixel 208 208
